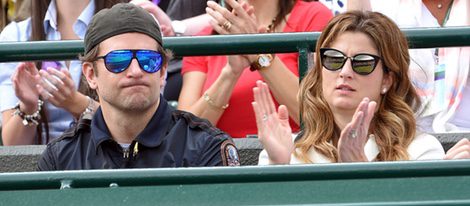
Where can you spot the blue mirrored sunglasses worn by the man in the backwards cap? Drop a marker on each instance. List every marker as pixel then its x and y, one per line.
pixel 119 60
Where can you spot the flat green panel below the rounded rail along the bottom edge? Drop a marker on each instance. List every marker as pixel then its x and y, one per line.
pixel 351 192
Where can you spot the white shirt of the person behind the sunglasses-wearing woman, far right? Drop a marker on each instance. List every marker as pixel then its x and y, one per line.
pixel 441 97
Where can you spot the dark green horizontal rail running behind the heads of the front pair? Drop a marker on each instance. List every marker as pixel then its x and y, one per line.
pixel 228 44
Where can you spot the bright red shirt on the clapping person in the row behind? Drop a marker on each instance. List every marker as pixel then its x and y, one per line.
pixel 238 119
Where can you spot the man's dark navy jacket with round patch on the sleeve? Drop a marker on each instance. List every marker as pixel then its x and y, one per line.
pixel 172 138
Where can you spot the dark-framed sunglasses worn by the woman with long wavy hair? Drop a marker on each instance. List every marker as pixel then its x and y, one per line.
pixel 362 64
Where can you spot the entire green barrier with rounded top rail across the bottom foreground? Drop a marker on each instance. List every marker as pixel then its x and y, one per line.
pixel 385 183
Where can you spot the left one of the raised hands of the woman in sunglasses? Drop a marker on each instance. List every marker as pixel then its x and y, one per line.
pixel 274 131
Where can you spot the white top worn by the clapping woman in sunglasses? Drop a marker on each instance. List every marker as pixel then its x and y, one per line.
pixel 423 147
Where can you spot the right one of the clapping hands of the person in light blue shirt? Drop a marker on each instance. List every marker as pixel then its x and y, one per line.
pixel 57 87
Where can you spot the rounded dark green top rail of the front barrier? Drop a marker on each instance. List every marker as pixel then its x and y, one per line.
pixel 136 177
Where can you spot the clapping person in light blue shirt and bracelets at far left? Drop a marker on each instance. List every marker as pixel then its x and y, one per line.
pixel 40 101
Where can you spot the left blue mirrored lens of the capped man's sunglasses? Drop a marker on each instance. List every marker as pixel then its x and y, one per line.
pixel 118 60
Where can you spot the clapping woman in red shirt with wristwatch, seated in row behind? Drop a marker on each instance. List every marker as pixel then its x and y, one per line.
pixel 218 88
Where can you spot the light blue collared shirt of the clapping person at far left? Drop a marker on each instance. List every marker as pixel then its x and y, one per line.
pixel 59 119
